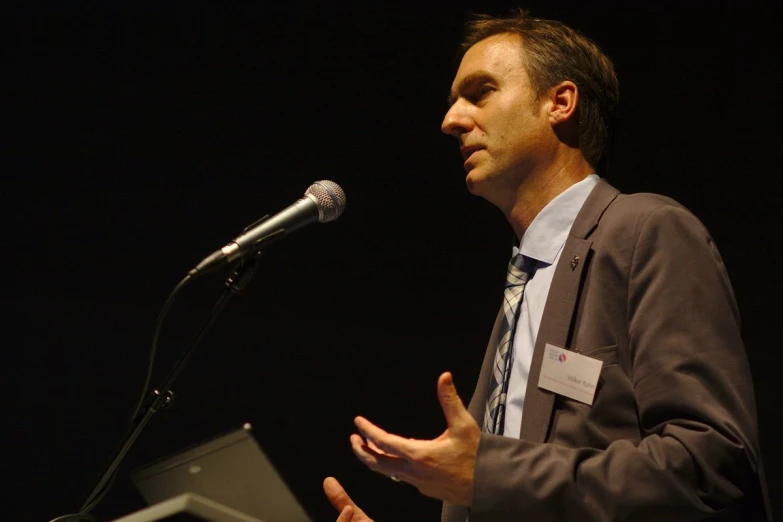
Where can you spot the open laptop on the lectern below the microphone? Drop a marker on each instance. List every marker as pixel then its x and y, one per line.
pixel 230 471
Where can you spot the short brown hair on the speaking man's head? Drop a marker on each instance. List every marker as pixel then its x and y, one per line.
pixel 552 53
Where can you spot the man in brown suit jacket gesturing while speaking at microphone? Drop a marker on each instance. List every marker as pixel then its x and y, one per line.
pixel 654 417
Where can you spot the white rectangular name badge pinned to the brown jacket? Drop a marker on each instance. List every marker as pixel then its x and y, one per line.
pixel 569 373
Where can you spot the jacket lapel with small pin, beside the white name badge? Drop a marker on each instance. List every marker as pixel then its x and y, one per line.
pixel 560 308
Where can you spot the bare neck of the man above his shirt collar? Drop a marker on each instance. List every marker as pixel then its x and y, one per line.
pixel 541 187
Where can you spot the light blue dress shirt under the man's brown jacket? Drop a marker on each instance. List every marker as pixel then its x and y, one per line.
pixel 542 241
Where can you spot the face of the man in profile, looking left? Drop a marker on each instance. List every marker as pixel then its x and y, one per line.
pixel 501 126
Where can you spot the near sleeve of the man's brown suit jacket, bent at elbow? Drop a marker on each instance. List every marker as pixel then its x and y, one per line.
pixel 697 456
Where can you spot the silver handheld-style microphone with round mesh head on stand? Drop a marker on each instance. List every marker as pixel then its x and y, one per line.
pixel 323 201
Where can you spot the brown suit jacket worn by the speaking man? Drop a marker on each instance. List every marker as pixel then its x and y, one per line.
pixel 672 432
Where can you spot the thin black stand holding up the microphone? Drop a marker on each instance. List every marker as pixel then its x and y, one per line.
pixel 162 397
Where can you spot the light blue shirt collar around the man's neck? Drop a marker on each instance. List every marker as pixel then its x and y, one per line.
pixel 546 235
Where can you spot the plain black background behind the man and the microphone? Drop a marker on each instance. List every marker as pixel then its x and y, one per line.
pixel 142 136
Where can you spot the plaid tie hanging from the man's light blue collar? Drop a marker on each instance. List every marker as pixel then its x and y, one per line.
pixel 512 297
